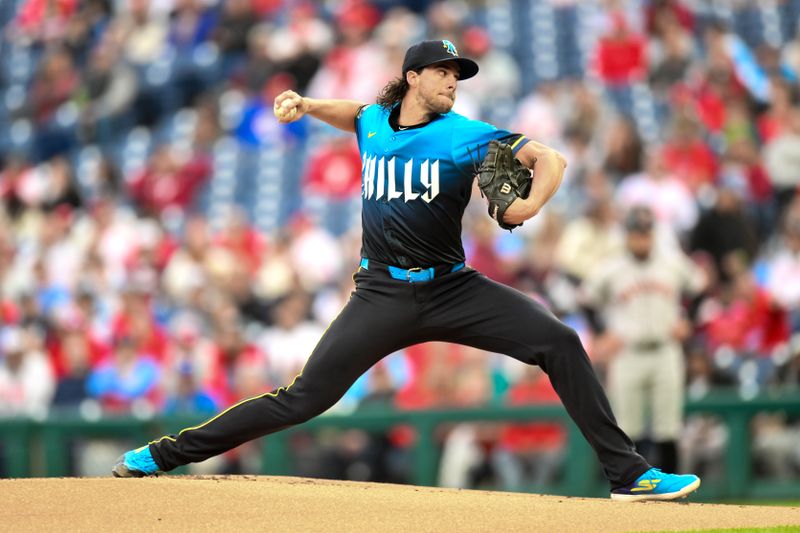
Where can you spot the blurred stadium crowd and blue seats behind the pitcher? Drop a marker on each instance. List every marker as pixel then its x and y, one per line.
pixel 166 246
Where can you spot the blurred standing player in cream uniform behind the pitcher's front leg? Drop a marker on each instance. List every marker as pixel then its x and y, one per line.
pixel 638 294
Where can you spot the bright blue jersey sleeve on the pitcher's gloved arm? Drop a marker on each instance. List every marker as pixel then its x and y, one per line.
pixel 471 138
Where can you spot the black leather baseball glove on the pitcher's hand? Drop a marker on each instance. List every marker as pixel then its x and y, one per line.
pixel 502 179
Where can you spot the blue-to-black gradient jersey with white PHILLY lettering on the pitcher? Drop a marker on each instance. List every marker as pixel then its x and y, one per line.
pixel 416 183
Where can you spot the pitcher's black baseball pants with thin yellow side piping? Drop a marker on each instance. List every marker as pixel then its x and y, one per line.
pixel 384 315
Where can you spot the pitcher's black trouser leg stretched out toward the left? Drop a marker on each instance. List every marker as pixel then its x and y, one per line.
pixel 370 327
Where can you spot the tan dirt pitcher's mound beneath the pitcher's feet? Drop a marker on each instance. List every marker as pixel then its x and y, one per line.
pixel 255 503
